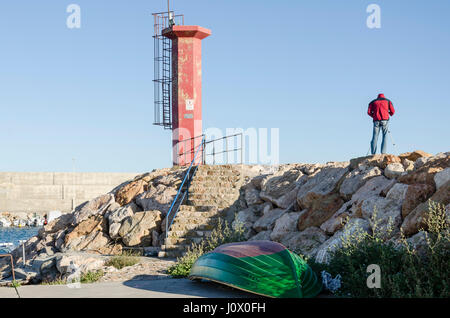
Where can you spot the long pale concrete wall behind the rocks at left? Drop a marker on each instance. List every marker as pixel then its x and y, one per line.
pixel 41 192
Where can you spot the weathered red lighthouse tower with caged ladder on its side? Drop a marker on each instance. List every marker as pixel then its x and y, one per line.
pixel 178 82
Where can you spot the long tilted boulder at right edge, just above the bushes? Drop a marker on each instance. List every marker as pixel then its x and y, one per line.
pixel 416 219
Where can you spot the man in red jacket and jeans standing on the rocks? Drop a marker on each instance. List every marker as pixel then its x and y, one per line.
pixel 380 109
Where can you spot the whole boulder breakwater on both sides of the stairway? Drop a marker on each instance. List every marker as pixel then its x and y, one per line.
pixel 309 208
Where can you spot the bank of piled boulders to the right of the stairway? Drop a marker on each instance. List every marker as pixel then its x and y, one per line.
pixel 310 207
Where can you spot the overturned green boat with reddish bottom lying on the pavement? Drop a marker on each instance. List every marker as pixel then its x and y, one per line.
pixel 262 267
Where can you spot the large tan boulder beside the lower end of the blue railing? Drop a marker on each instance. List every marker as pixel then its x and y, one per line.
pixel 137 230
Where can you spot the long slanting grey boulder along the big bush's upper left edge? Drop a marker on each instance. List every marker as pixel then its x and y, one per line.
pixel 353 228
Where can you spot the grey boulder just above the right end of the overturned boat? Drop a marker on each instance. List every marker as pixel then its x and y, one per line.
pixel 305 242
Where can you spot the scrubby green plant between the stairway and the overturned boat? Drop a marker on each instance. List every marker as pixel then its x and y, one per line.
pixel 222 234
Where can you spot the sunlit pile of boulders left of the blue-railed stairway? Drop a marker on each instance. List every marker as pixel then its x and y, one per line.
pixel 130 216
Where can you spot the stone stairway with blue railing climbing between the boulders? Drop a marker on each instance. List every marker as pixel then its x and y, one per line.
pixel 214 189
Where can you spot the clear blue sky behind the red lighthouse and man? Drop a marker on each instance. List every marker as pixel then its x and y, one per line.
pixel 306 67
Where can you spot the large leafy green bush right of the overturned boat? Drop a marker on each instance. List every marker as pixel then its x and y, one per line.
pixel 406 271
